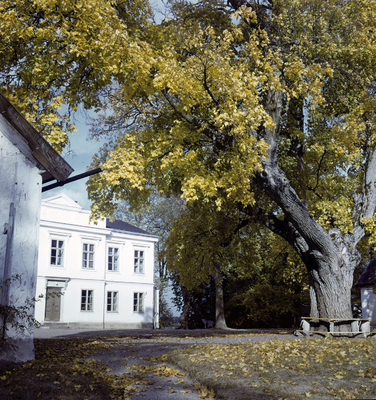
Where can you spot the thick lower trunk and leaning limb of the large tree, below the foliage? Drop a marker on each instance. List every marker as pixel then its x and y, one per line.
pixel 330 258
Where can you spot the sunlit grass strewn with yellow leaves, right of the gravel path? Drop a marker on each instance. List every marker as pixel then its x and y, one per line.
pixel 317 369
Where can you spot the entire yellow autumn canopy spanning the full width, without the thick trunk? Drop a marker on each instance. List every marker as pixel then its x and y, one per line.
pixel 192 105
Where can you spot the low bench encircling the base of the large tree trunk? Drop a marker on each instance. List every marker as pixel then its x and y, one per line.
pixel 359 326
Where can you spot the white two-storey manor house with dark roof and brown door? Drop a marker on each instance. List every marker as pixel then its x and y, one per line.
pixel 93 276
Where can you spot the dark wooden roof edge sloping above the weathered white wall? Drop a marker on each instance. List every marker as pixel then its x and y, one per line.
pixel 55 166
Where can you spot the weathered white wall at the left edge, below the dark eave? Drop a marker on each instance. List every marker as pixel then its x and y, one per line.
pixel 20 189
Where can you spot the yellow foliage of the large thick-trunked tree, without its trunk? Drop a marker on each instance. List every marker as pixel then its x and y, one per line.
pixel 197 95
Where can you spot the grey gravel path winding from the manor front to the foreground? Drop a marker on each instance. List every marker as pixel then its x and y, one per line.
pixel 139 352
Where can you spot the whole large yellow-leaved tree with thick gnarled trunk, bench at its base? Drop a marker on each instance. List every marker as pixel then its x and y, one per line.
pixel 273 112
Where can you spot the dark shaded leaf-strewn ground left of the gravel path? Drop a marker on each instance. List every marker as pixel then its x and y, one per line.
pixel 63 369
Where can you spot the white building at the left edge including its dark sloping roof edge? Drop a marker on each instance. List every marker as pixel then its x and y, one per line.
pixel 26 161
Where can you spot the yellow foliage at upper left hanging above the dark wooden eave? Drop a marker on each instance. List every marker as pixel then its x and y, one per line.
pixel 56 53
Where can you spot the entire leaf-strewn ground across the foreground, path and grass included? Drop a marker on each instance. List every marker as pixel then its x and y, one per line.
pixel 223 366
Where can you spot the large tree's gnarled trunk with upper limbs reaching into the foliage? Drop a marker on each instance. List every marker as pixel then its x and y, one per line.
pixel 330 257
